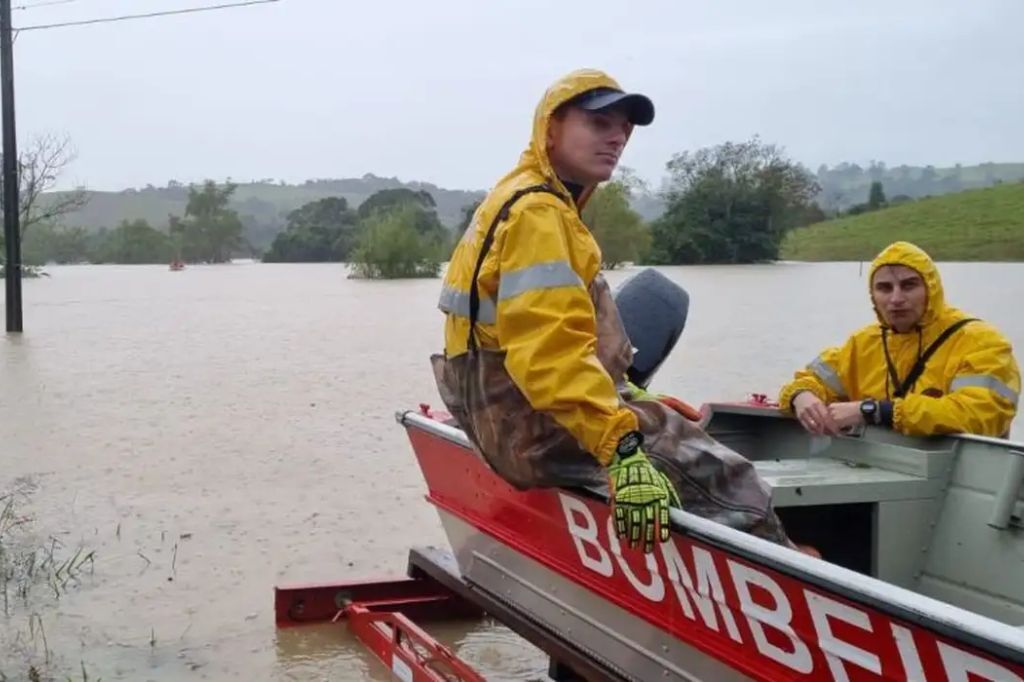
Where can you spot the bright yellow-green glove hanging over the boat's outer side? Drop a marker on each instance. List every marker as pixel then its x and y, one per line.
pixel 641 497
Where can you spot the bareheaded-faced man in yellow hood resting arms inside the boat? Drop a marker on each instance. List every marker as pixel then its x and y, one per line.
pixel 924 369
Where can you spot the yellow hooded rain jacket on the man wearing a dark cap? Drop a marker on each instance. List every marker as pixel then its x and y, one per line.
pixel 534 283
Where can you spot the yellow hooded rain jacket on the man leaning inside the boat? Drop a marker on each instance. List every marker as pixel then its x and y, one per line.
pixel 970 386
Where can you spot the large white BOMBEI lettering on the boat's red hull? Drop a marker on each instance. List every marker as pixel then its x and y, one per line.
pixel 704 589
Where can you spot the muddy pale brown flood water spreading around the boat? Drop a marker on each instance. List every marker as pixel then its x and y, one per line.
pixel 215 433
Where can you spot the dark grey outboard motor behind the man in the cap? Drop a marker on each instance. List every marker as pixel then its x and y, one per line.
pixel 654 310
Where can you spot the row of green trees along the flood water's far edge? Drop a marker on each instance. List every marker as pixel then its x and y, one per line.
pixel 733 203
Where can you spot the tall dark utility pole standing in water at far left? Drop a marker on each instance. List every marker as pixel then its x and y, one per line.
pixel 12 202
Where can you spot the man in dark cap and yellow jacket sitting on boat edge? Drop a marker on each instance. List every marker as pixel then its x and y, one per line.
pixel 536 355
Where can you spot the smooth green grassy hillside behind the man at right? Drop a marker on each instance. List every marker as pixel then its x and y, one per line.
pixel 979 225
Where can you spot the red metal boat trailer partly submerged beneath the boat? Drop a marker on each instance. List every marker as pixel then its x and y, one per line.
pixel 385 616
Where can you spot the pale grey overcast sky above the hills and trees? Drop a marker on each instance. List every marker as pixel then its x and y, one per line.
pixel 444 92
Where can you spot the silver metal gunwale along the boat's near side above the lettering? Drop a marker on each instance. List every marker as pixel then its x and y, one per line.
pixel 989 635
